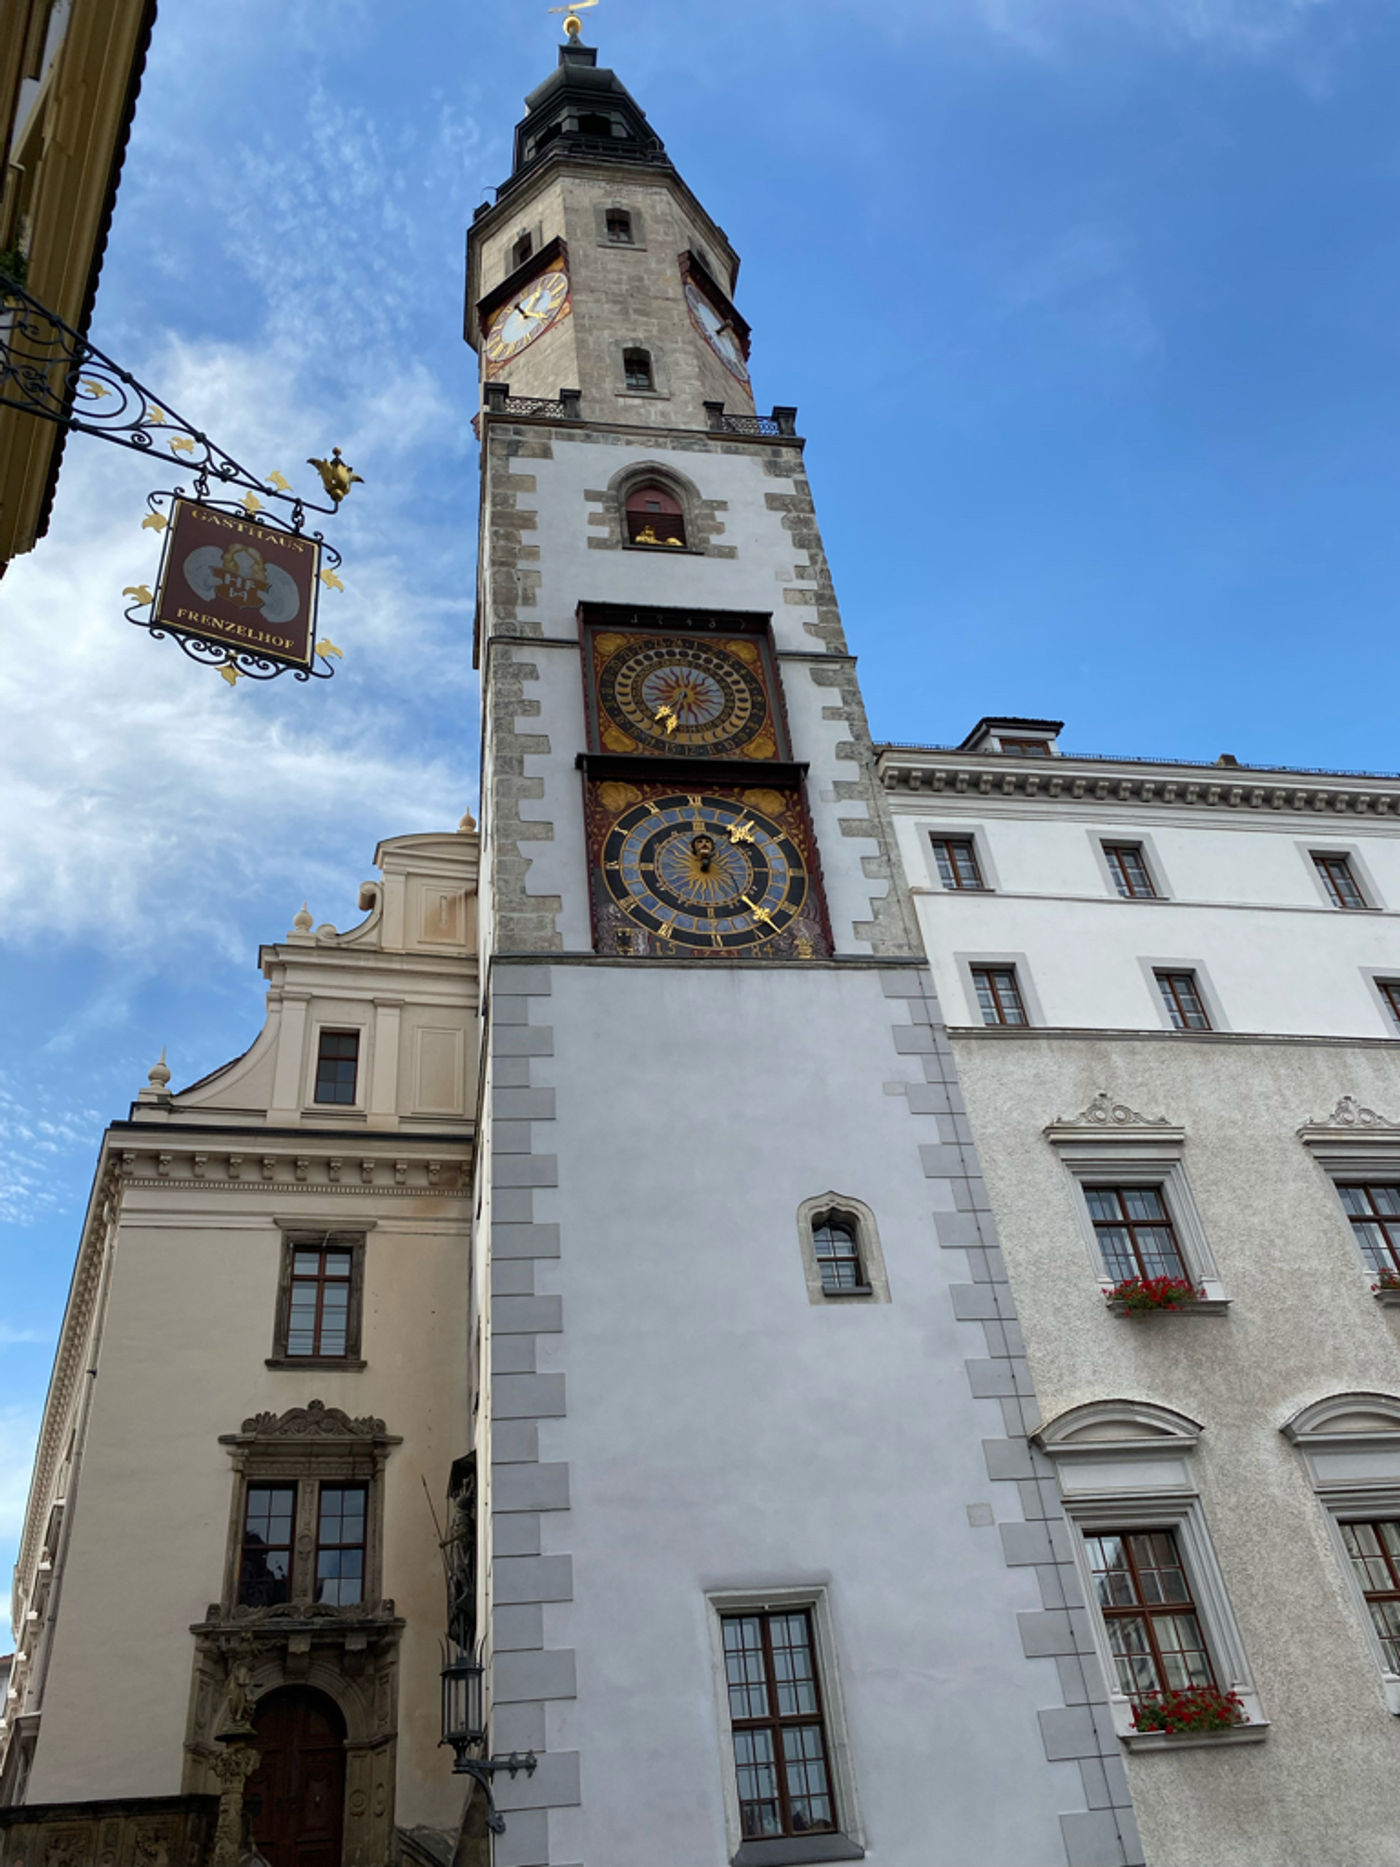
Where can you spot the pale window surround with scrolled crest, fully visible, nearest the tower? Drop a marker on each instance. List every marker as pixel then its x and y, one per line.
pixel 1141 1155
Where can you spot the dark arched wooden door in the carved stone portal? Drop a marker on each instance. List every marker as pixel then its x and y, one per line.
pixel 298 1793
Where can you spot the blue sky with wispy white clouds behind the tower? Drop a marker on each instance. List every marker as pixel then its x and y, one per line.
pixel 1091 313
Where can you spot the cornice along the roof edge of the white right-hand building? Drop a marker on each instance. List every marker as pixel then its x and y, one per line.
pixel 1229 791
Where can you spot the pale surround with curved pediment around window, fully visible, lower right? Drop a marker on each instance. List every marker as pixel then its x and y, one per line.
pixel 1127 1467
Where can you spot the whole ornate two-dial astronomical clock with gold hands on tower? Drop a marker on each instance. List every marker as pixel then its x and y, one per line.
pixel 697 828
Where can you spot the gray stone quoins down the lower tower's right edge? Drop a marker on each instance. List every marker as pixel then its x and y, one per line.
pixel 1031 1523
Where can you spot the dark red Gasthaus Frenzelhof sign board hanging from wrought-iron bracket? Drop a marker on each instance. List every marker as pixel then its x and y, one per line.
pixel 238 583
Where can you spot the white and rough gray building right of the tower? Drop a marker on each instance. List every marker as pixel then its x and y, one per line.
pixel 1175 1007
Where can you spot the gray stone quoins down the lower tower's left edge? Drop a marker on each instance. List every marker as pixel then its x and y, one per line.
pixel 525 1674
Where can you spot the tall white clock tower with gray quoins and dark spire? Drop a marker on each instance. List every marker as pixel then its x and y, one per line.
pixel 749 1401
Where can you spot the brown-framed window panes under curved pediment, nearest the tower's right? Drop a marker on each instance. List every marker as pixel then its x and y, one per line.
pixel 1145 1599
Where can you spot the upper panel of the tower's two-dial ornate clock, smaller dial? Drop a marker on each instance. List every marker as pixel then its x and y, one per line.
pixel 682 697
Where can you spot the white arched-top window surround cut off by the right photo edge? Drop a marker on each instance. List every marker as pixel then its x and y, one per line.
pixel 1351 1448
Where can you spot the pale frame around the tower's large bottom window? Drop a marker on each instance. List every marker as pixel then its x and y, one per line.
pixel 794 1849
